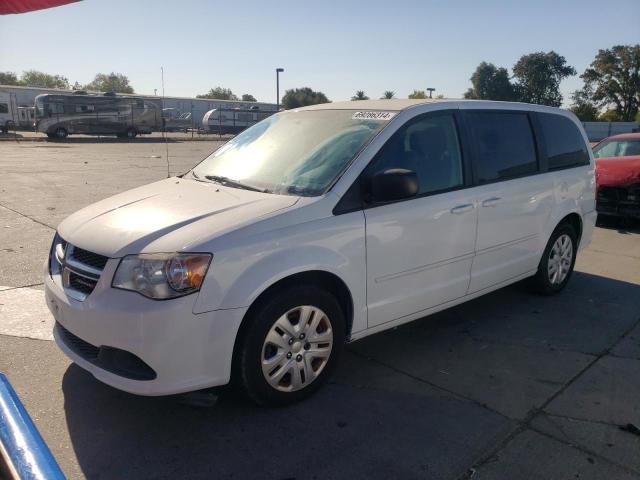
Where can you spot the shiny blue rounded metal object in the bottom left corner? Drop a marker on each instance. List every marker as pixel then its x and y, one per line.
pixel 21 446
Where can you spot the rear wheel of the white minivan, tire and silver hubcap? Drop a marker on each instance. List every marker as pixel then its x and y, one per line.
pixel 557 262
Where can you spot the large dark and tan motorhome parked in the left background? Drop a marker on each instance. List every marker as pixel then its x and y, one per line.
pixel 61 115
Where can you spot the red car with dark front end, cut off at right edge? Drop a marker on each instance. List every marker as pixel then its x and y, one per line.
pixel 618 175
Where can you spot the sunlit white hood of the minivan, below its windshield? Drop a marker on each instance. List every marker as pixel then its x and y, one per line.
pixel 170 215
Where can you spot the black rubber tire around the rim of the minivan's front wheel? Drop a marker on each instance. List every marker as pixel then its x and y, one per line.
pixel 248 374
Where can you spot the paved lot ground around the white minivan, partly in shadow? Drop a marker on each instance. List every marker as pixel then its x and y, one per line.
pixel 508 386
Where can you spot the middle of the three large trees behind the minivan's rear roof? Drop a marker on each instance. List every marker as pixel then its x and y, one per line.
pixel 538 76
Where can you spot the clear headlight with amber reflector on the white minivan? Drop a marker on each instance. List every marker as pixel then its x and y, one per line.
pixel 163 275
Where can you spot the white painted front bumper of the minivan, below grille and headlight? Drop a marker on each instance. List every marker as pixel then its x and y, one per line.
pixel 186 351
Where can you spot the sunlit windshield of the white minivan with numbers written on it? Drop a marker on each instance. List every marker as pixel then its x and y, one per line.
pixel 291 153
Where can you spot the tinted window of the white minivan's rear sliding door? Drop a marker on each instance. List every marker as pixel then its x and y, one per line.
pixel 504 144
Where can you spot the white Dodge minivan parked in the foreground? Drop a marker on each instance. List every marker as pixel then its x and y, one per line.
pixel 315 227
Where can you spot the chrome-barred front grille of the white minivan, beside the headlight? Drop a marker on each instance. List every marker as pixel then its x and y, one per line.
pixel 79 269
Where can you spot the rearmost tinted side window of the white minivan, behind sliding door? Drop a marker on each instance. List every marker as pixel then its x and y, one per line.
pixel 565 145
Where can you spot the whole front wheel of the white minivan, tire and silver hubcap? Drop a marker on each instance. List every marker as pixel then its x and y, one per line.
pixel 290 346
